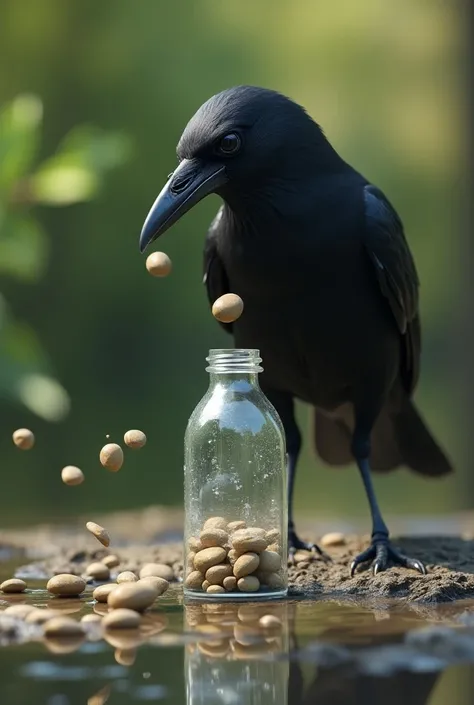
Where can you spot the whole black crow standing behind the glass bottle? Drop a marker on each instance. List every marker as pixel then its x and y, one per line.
pixel 319 256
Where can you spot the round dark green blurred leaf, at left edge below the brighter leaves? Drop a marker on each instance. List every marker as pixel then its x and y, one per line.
pixel 24 247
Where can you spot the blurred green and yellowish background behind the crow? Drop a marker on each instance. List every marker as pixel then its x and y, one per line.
pixel 94 97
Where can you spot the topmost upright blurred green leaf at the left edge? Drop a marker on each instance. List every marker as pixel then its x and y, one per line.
pixel 20 121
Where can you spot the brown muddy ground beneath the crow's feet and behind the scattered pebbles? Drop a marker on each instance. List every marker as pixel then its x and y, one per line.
pixel 153 535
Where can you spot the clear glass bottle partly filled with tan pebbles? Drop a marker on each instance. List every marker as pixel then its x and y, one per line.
pixel 235 542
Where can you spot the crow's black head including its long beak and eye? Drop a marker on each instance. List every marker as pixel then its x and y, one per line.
pixel 238 140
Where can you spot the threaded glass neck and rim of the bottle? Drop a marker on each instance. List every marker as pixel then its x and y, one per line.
pixel 234 365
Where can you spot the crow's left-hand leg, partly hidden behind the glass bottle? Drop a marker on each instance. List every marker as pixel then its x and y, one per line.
pixel 284 405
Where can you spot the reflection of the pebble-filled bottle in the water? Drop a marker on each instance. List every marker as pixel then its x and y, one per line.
pixel 239 654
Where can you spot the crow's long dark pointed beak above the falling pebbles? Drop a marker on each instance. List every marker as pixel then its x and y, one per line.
pixel 189 184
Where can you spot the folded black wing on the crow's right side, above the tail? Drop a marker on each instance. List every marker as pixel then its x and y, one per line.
pixel 397 277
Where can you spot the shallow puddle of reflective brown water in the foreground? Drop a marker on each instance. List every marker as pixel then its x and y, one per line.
pixel 325 652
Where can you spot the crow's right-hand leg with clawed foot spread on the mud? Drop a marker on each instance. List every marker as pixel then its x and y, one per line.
pixel 380 551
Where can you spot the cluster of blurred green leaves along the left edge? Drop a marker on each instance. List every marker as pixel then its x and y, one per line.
pixel 73 174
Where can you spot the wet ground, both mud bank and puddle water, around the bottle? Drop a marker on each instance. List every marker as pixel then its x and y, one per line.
pixel 339 642
